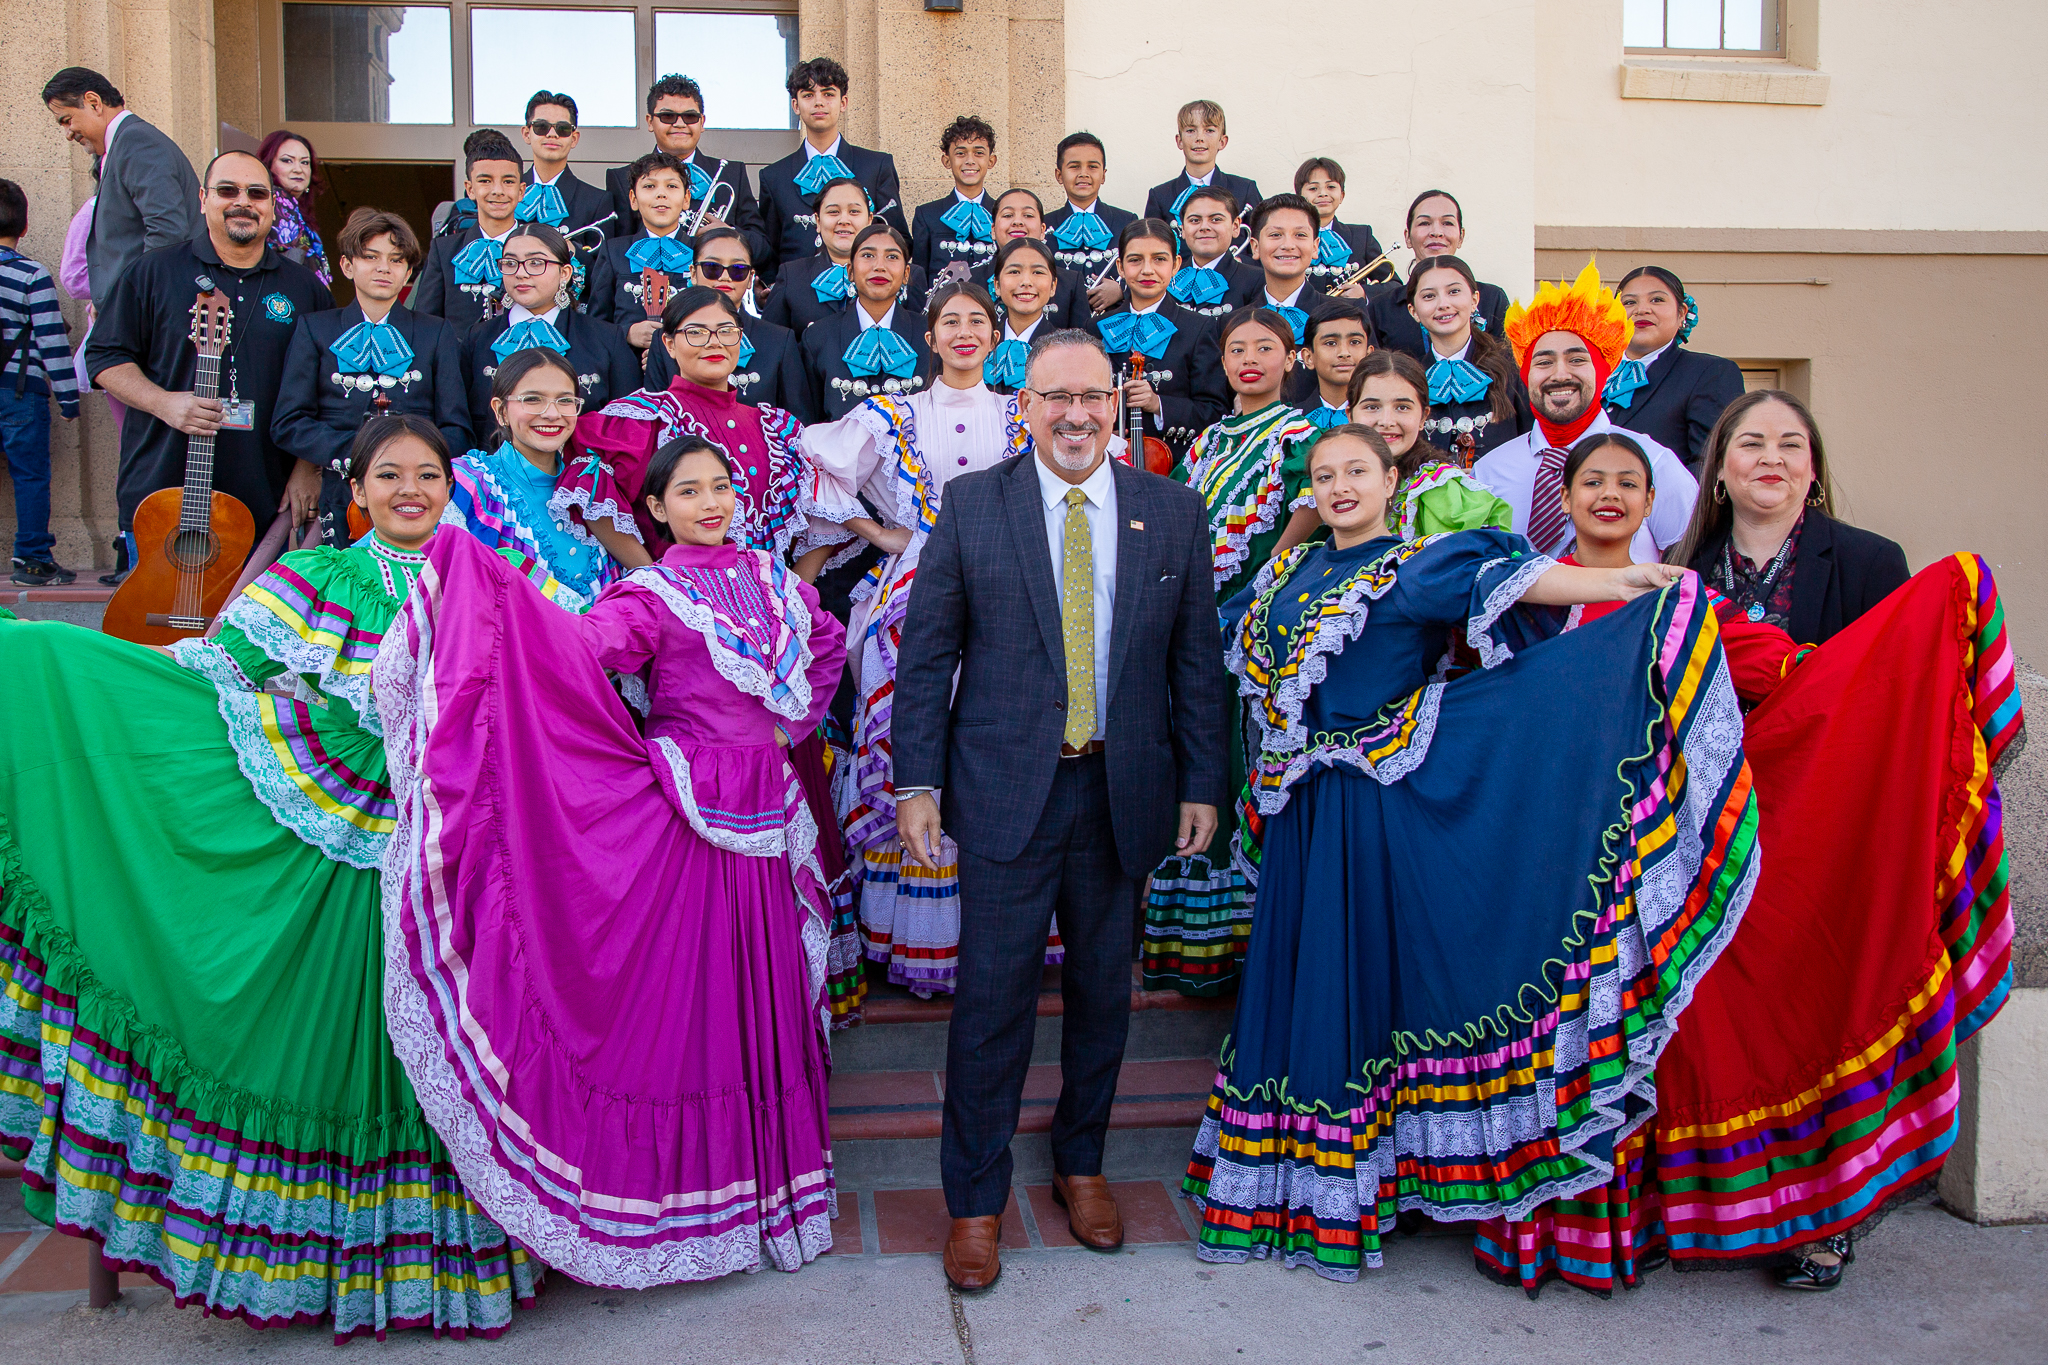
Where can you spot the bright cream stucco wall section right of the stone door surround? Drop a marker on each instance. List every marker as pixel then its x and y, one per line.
pixel 1404 97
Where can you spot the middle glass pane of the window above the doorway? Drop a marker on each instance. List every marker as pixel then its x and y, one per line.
pixel 583 54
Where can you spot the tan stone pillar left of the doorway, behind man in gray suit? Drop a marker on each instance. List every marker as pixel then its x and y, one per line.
pixel 161 56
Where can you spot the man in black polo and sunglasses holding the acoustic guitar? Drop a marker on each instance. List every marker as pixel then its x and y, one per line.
pixel 142 353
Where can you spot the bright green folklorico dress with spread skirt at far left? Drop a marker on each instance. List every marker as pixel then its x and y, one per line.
pixel 194 1057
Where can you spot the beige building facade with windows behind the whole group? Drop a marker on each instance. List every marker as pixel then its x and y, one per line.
pixel 1857 200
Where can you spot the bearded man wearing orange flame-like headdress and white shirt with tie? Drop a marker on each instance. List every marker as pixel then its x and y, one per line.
pixel 1568 341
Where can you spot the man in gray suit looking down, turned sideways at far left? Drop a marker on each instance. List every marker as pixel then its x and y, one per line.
pixel 148 191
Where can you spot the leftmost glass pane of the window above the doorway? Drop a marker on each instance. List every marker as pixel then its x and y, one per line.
pixel 368 64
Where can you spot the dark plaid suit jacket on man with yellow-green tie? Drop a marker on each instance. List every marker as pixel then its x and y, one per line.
pixel 990 609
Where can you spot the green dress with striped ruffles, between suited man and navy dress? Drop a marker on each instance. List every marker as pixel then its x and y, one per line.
pixel 1252 472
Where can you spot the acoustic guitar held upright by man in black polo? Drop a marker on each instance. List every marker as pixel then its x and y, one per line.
pixel 189 543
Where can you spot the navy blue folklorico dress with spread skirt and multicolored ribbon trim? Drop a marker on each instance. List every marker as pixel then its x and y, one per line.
pixel 1484 897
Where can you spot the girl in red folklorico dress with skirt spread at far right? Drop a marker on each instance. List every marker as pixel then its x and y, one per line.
pixel 1816 1082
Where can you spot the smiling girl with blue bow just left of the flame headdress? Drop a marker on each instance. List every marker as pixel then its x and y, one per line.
pixel 1478 398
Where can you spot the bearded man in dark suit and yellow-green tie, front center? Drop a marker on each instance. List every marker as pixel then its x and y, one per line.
pixel 1074 599
